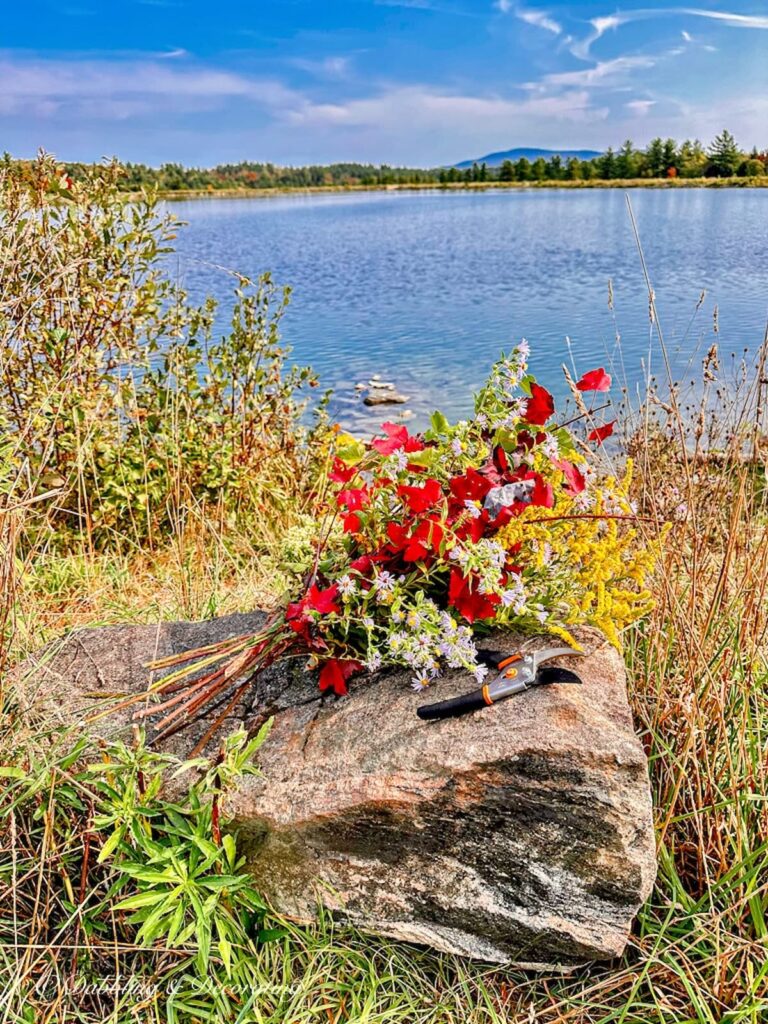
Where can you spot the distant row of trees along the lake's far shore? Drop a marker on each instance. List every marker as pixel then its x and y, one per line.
pixel 661 159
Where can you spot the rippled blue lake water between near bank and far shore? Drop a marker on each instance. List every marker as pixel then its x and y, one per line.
pixel 428 288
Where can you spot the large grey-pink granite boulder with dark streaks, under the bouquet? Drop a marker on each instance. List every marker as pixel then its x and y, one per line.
pixel 519 834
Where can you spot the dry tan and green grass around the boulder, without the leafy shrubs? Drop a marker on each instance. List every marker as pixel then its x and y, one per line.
pixel 699 688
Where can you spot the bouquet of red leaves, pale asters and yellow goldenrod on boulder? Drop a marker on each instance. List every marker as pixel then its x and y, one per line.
pixel 425 542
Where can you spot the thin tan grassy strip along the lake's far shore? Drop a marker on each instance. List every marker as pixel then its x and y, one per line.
pixel 735 183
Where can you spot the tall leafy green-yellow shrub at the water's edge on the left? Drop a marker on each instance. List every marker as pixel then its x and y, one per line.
pixel 124 406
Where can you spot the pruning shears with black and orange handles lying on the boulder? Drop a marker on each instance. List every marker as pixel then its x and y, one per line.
pixel 516 674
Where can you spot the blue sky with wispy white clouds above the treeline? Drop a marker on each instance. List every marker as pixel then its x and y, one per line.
pixel 417 82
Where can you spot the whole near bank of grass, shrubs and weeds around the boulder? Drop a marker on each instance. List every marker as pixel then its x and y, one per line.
pixel 154 493
